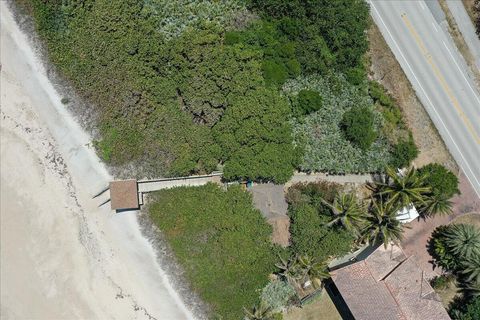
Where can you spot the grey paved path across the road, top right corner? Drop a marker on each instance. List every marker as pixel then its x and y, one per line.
pixel 466 28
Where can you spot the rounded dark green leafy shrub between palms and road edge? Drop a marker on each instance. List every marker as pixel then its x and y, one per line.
pixel 442 181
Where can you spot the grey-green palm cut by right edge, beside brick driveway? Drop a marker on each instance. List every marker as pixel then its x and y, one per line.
pixel 463 240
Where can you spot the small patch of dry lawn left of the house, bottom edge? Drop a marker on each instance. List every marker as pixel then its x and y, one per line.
pixel 321 308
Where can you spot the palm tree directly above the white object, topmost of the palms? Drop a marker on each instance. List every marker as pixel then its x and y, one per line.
pixel 403 189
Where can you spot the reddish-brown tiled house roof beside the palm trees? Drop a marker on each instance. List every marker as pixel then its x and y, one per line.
pixel 388 286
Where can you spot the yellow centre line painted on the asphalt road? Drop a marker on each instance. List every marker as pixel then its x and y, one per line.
pixel 440 77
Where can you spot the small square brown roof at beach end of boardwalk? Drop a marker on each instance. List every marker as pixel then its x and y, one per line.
pixel 124 194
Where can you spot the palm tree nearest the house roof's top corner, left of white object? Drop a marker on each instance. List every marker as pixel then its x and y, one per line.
pixel 381 223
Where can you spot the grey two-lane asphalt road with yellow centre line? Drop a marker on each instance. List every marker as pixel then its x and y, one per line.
pixel 438 75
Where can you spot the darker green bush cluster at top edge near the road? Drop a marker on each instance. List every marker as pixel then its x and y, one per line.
pixel 328 34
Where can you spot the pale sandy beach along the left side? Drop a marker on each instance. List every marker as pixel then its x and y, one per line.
pixel 62 257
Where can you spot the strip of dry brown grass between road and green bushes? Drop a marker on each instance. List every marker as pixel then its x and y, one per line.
pixel 386 69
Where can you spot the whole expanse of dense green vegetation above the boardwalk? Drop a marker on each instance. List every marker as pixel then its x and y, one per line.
pixel 162 75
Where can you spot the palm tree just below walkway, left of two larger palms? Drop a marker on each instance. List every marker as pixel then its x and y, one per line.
pixel 347 211
